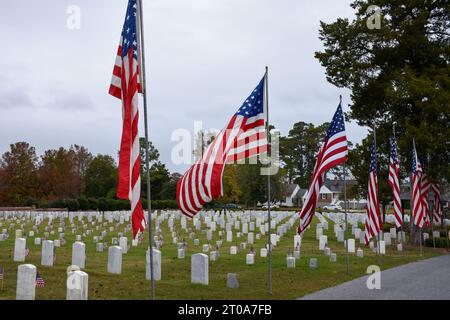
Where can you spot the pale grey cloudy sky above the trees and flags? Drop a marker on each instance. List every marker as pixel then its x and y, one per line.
pixel 203 58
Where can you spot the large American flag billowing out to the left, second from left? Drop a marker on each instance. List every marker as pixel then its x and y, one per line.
pixel 243 137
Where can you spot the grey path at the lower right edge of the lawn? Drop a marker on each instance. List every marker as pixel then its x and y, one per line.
pixel 423 280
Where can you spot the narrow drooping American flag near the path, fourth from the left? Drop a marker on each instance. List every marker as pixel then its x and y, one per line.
pixel 373 216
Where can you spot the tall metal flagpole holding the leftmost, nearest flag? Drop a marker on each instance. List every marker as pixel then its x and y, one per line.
pixel 141 48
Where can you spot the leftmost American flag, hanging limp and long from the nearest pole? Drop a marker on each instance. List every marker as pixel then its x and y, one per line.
pixel 125 85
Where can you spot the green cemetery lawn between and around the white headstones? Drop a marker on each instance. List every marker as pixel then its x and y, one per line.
pixel 175 283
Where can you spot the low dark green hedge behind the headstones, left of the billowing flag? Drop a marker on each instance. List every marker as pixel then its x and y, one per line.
pixel 105 204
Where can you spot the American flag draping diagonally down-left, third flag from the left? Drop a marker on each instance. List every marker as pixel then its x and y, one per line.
pixel 333 152
